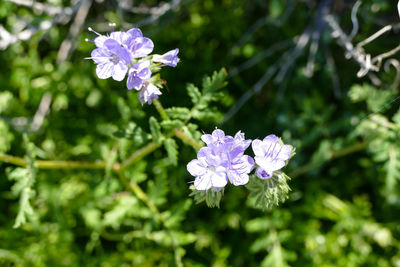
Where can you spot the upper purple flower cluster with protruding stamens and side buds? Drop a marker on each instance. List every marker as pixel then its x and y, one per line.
pixel 121 54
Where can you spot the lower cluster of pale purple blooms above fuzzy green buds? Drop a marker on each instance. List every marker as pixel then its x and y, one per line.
pixel 223 159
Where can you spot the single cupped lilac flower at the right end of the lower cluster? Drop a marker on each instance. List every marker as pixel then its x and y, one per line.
pixel 270 155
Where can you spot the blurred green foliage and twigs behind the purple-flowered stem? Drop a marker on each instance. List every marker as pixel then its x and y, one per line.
pixel 287 75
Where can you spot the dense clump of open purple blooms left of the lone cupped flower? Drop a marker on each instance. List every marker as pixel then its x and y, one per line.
pixel 221 160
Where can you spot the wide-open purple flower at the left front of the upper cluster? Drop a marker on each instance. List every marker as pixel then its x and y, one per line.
pixel 112 60
